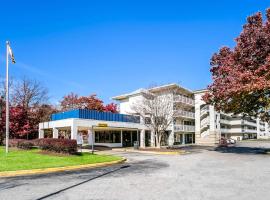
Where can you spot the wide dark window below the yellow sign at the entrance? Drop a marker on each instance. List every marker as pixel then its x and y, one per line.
pixel 107 136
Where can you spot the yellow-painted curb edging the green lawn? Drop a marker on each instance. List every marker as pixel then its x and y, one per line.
pixel 59 169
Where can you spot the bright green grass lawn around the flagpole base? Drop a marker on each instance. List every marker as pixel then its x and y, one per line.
pixel 33 159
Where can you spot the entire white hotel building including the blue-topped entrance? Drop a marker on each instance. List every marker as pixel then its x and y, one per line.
pixel 194 122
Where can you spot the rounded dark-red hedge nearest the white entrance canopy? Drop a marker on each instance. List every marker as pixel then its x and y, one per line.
pixel 58 145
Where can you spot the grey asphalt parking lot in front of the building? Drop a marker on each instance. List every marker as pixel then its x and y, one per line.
pixel 240 172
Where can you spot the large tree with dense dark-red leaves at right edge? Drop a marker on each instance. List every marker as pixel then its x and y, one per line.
pixel 241 75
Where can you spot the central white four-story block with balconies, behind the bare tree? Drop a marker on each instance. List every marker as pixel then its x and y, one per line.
pixel 182 131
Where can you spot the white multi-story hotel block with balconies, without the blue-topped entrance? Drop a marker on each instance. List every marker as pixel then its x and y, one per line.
pixel 196 122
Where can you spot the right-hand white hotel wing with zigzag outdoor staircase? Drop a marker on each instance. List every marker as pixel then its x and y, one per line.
pixel 212 125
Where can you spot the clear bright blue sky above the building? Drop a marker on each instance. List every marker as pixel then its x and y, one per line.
pixel 113 47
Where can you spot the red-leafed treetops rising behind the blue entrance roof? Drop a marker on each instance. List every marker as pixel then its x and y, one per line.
pixel 91 102
